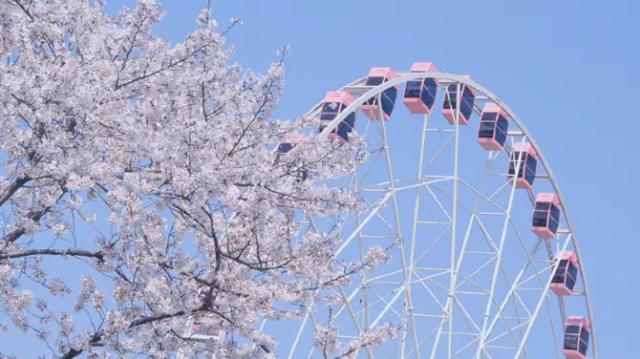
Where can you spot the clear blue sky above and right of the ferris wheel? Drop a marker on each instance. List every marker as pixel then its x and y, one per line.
pixel 568 68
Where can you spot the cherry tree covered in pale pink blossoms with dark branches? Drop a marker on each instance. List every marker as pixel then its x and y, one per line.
pixel 141 190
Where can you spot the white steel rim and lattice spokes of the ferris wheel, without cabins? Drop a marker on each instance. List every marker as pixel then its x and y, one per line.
pixel 483 337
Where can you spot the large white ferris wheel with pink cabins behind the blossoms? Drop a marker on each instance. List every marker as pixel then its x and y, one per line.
pixel 483 260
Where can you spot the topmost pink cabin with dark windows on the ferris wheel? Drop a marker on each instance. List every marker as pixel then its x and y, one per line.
pixel 420 94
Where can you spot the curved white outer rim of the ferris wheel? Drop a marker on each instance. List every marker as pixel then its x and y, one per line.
pixel 446 77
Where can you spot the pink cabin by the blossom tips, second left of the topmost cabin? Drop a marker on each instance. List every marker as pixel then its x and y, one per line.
pixel 333 104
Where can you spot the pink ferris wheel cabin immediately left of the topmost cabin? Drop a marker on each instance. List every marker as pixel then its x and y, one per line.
pixel 371 108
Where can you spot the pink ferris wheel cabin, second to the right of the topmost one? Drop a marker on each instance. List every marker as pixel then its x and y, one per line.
pixel 494 125
